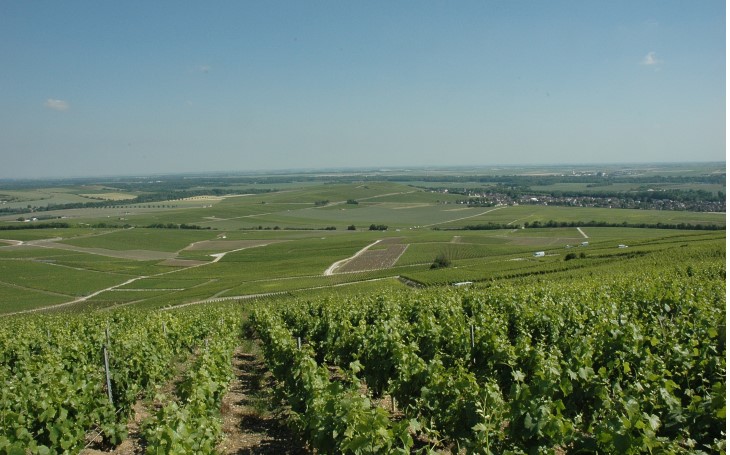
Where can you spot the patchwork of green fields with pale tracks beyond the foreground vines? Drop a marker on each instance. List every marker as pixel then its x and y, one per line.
pixel 297 237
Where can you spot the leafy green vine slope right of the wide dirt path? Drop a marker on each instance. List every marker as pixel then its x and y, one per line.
pixel 629 362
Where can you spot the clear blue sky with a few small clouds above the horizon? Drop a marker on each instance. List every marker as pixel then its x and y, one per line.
pixel 97 88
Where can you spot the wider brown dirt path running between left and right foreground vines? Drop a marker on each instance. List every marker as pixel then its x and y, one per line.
pixel 250 427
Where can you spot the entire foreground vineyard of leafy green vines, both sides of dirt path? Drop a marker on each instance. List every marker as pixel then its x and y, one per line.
pixel 628 358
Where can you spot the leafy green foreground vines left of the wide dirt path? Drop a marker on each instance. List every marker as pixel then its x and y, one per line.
pixel 69 382
